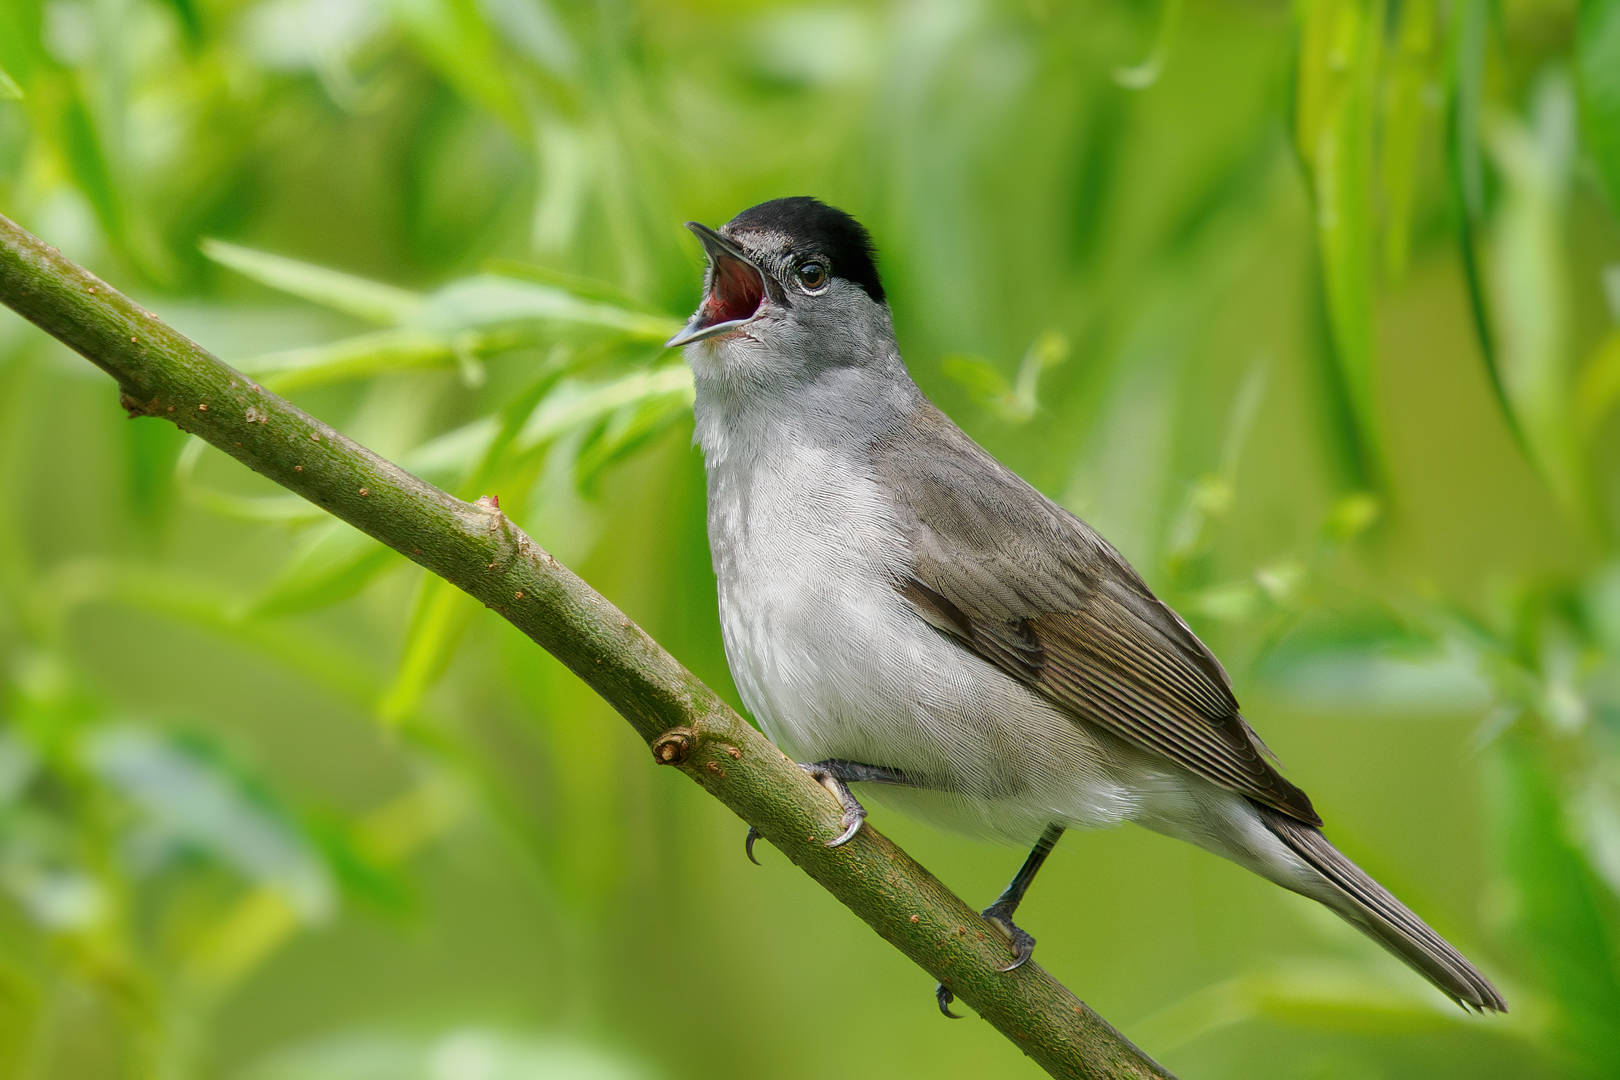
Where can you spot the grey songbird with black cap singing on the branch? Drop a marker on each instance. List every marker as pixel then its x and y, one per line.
pixel 906 614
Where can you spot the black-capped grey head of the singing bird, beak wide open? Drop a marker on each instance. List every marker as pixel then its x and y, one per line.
pixel 791 287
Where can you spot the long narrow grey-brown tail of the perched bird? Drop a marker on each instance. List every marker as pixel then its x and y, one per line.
pixel 1371 909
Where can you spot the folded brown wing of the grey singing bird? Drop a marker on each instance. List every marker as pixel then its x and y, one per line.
pixel 1033 590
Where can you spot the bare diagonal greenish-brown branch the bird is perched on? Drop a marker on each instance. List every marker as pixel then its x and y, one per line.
pixel 479 550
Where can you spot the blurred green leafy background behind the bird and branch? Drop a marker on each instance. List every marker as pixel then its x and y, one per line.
pixel 1311 308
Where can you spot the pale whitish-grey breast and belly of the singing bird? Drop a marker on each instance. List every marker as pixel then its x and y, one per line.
pixel 833 668
